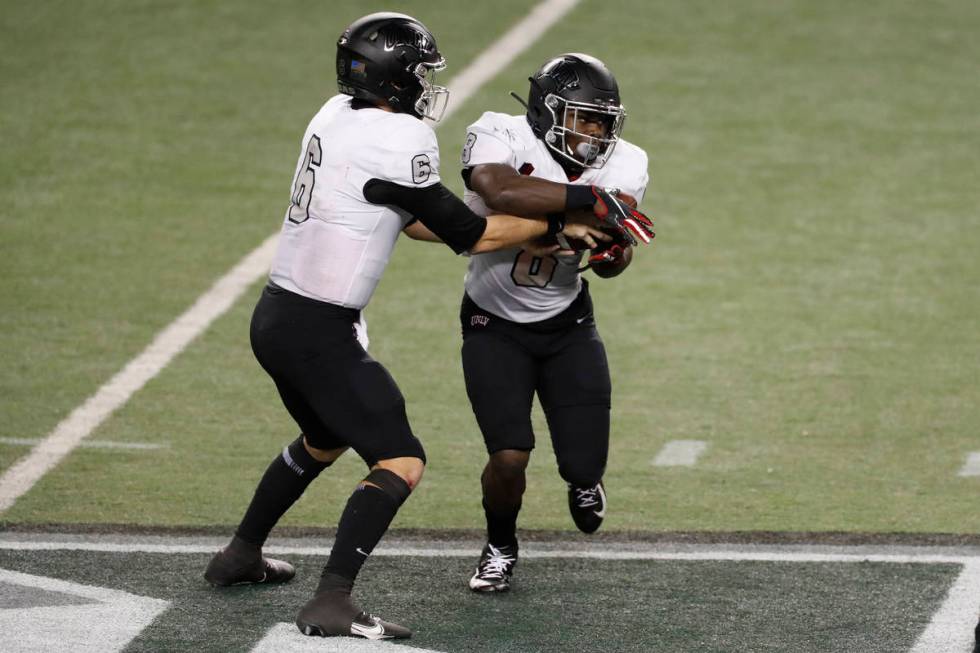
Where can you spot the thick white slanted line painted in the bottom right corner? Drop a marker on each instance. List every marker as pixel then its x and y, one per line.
pixel 946 631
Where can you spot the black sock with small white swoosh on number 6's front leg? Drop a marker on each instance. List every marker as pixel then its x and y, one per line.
pixel 366 517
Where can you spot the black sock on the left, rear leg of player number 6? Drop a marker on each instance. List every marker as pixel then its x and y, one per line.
pixel 282 484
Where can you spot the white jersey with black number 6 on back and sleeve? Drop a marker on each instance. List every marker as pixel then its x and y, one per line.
pixel 334 244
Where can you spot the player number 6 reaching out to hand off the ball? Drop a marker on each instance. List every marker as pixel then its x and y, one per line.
pixel 368 170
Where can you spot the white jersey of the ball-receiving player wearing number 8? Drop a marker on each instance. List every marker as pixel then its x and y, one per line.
pixel 511 283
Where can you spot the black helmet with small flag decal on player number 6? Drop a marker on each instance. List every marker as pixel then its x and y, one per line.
pixel 392 57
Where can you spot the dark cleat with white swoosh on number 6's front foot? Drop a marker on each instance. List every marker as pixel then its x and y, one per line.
pixel 333 613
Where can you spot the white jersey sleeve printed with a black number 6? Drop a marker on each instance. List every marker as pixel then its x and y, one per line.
pixel 407 155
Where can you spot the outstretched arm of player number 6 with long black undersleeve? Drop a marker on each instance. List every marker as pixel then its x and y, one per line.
pixel 446 217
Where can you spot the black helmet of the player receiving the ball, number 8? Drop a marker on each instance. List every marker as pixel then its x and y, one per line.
pixel 565 90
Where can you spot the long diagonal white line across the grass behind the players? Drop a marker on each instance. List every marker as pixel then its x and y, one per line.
pixel 67 435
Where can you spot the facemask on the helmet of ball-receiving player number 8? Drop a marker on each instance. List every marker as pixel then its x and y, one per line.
pixel 581 149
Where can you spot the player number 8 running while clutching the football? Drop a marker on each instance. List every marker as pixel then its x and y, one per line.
pixel 527 320
